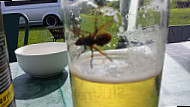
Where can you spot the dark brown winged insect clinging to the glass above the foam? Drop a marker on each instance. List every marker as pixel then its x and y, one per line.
pixel 99 37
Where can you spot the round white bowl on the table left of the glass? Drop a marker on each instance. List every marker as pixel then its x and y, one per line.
pixel 43 59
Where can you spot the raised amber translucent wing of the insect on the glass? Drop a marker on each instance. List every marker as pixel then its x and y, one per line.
pixel 104 27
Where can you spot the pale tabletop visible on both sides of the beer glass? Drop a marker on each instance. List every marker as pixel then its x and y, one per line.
pixel 55 91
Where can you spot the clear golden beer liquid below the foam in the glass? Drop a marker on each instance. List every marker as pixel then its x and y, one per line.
pixel 133 94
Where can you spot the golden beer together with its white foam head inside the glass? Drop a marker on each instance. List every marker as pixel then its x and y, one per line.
pixel 120 83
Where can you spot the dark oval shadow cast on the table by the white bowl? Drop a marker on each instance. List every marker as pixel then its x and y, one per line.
pixel 28 87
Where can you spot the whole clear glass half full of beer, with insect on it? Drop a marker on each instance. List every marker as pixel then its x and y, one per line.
pixel 116 51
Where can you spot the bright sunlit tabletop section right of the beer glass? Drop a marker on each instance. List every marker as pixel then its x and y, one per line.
pixel 175 88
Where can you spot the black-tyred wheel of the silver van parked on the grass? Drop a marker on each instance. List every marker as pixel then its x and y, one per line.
pixel 51 20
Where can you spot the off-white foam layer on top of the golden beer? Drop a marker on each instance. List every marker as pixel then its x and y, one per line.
pixel 128 65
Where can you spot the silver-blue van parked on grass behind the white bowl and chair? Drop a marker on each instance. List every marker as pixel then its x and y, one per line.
pixel 39 12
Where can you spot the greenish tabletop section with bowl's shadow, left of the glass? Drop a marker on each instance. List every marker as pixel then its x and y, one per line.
pixel 41 92
